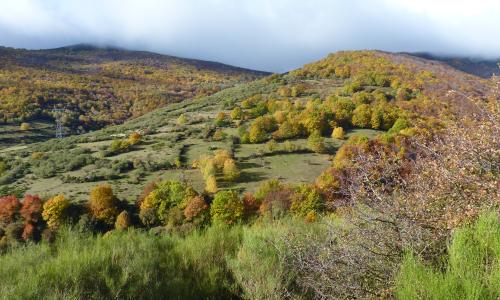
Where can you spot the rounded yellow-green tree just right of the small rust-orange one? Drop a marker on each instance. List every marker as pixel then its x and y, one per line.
pixel 227 207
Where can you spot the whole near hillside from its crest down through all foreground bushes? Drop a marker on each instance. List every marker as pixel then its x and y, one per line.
pixel 366 174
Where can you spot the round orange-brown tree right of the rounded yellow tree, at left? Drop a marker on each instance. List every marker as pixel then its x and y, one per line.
pixel 103 204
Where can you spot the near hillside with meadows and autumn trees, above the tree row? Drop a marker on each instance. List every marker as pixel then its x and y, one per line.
pixel 276 127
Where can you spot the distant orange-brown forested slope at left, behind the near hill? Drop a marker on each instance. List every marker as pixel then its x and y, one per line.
pixel 102 86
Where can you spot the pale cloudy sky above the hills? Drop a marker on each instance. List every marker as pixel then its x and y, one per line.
pixel 270 35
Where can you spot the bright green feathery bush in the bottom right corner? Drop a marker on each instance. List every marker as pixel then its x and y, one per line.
pixel 472 271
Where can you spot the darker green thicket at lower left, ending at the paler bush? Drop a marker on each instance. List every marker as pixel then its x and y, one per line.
pixel 120 265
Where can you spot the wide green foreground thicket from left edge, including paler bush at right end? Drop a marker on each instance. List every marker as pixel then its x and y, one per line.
pixel 220 262
